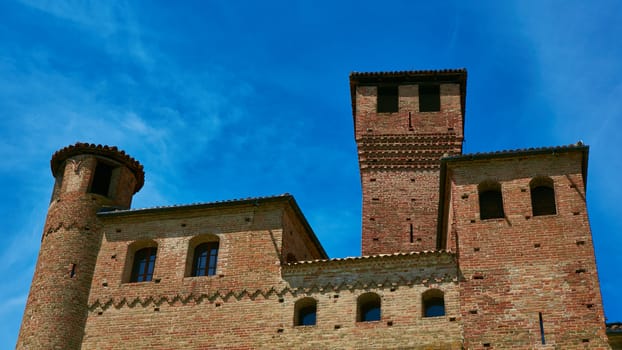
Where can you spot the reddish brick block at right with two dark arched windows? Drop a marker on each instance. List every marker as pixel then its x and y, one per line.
pixel 519 266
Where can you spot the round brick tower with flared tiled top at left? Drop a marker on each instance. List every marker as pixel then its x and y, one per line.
pixel 89 178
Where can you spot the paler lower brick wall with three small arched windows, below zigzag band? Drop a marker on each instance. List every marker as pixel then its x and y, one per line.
pixel 242 318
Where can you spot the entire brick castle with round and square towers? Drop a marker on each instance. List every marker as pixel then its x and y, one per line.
pixel 474 251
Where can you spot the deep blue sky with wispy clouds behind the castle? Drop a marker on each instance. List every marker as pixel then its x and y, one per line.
pixel 226 99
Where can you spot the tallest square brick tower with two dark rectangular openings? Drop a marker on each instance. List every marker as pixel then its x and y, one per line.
pixel 405 122
